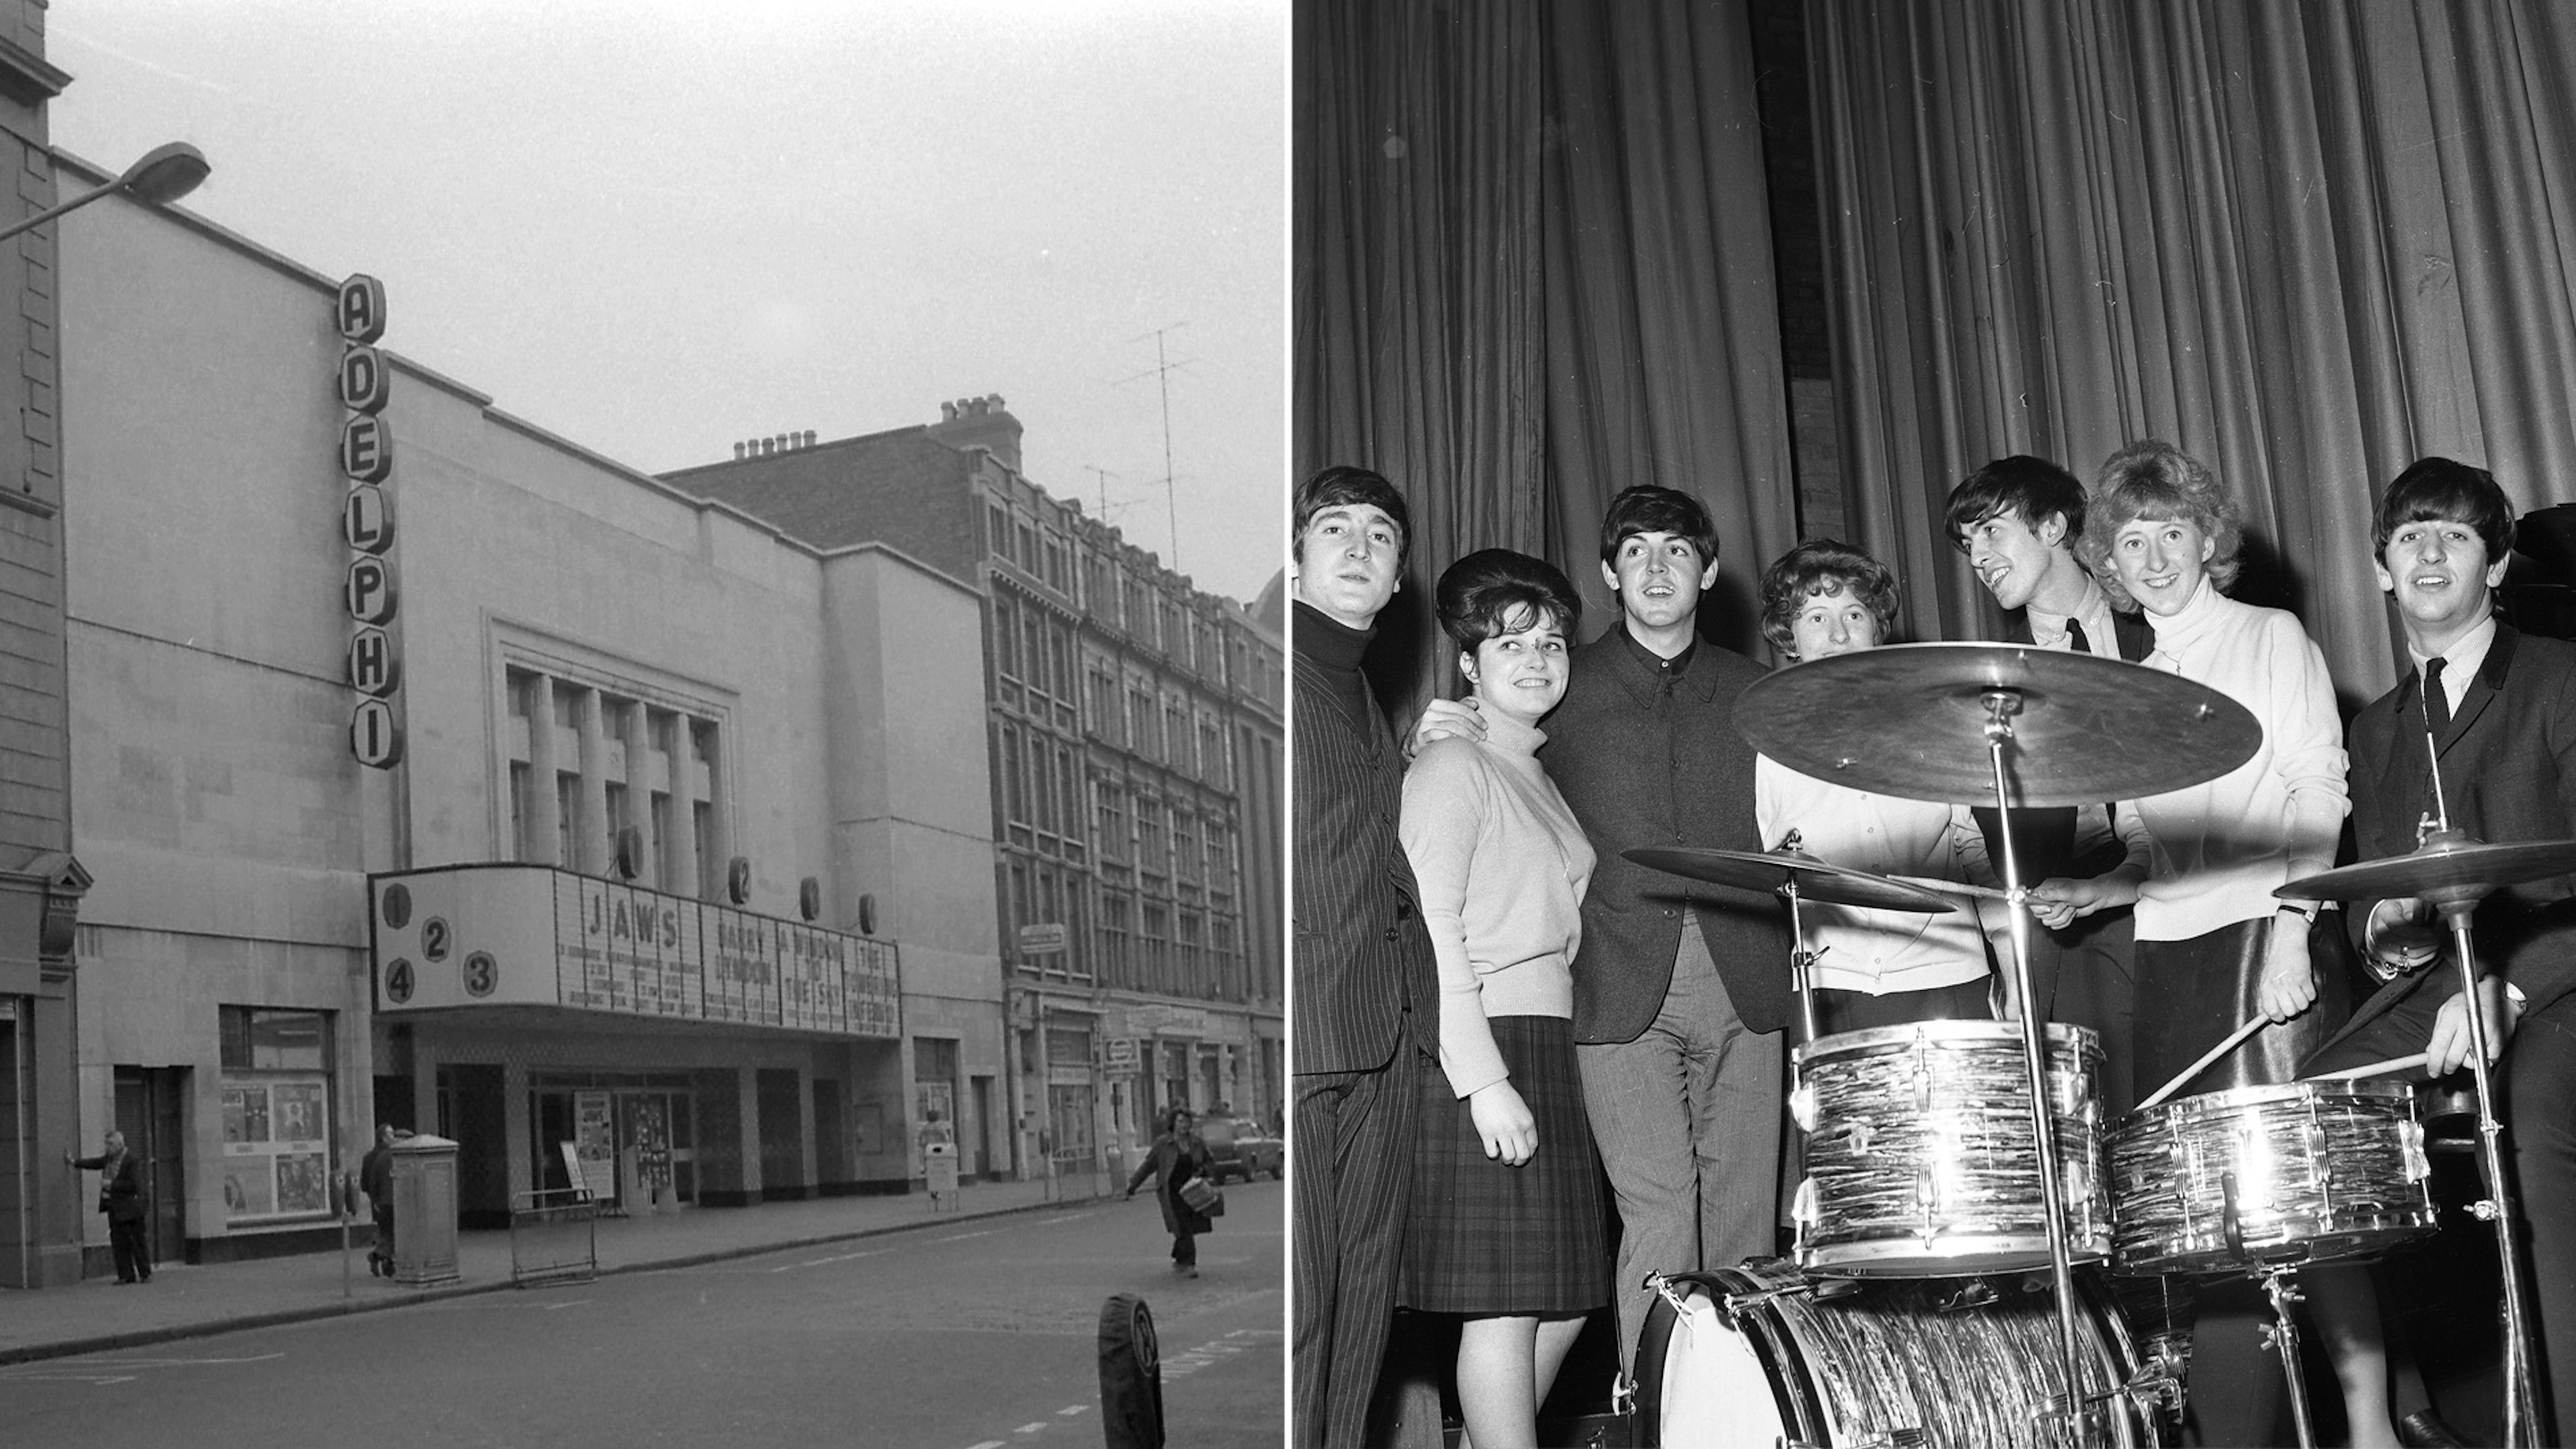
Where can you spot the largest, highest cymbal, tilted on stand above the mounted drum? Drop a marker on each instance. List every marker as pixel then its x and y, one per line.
pixel 1910 721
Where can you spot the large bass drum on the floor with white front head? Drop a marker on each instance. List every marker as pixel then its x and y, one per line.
pixel 1756 1357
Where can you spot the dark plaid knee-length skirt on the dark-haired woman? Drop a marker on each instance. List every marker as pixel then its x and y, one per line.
pixel 1488 1239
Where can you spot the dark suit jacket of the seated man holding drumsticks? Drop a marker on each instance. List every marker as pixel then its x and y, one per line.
pixel 2510 775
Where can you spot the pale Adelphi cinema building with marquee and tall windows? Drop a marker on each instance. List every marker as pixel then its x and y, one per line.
pixel 434 770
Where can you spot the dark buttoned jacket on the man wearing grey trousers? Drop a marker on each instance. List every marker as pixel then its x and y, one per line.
pixel 1663 772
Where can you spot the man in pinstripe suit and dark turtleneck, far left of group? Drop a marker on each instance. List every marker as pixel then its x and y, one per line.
pixel 1367 991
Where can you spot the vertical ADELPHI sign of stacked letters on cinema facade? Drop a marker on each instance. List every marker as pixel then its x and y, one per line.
pixel 367 525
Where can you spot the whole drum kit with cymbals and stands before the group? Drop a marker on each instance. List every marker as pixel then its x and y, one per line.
pixel 1936 1293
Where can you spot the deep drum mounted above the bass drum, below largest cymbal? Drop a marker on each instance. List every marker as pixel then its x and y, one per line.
pixel 1920 1156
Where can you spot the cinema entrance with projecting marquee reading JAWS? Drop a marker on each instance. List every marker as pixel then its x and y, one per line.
pixel 650 1051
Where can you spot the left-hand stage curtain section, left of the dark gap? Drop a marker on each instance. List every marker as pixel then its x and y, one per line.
pixel 1531 269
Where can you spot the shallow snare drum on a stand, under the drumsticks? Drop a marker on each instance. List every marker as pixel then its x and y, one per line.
pixel 2273 1174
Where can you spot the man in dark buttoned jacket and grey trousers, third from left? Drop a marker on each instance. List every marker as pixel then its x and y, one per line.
pixel 1681 989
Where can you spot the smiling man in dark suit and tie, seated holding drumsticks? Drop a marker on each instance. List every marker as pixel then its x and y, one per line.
pixel 2503 713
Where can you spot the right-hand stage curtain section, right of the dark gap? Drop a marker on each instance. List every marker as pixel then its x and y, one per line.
pixel 2307 244
